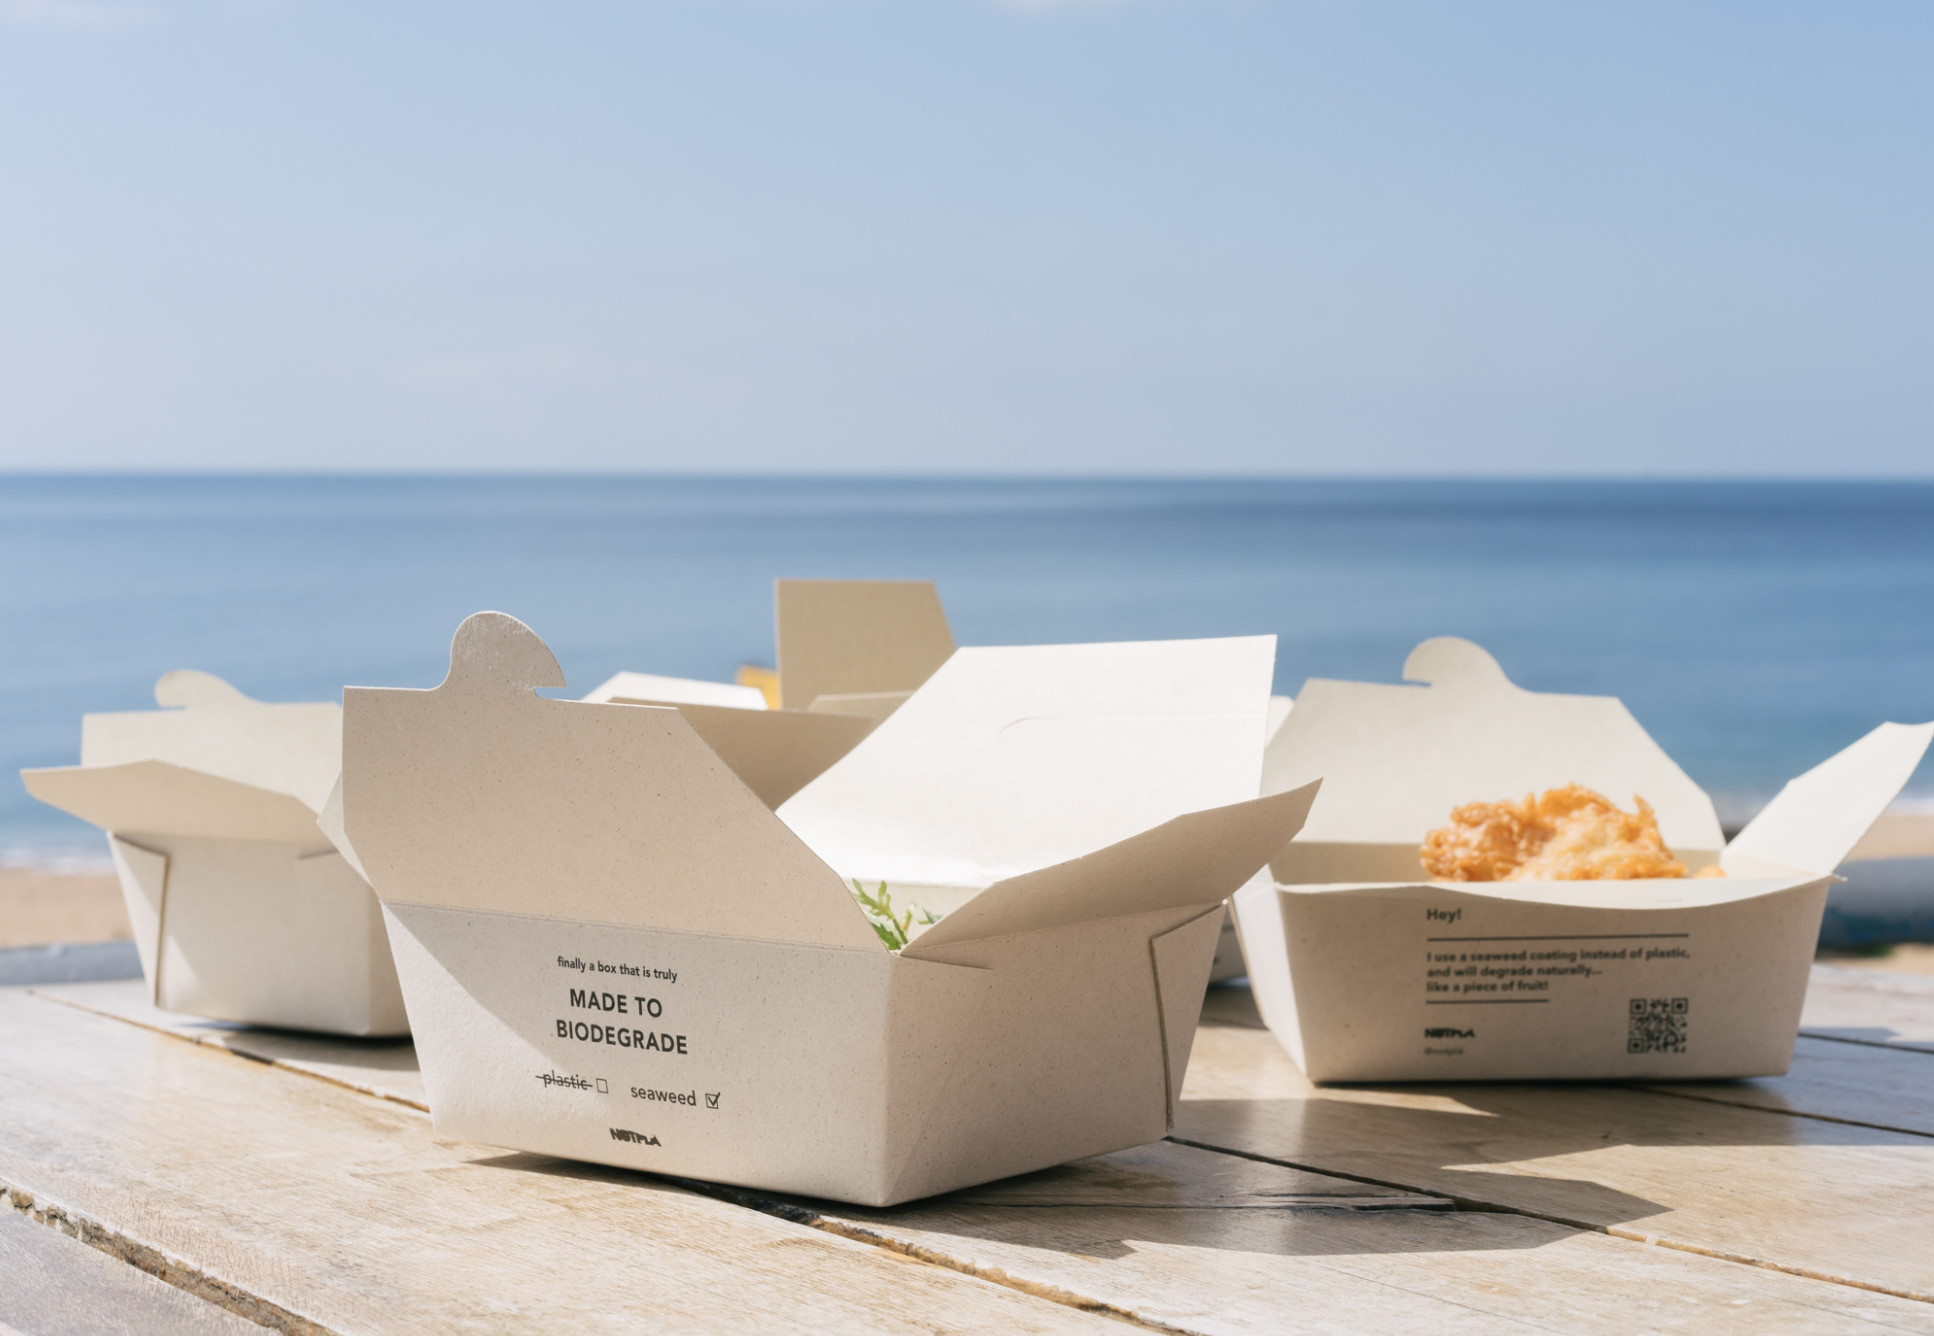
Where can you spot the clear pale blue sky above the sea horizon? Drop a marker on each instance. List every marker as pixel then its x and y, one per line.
pixel 1148 237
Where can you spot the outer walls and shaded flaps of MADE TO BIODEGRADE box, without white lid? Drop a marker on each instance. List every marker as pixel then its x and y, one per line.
pixel 616 952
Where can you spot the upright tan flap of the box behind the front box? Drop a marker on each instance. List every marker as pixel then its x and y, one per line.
pixel 844 637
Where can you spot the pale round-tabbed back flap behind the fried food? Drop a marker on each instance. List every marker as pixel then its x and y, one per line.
pixel 1397 759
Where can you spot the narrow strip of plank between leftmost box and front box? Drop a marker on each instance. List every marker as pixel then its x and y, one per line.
pixel 374 1066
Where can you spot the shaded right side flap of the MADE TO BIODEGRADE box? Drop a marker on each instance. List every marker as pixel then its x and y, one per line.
pixel 1194 859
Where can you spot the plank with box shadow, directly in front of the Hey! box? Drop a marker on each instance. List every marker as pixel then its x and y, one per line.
pixel 1803 1194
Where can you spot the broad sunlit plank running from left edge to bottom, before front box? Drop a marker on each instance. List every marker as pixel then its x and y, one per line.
pixel 336 1211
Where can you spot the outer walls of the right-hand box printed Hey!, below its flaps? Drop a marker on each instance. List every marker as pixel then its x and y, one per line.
pixel 1438 983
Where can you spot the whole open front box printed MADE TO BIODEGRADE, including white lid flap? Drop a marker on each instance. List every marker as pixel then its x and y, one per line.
pixel 616 952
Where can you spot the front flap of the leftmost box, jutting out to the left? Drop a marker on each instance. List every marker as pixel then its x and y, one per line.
pixel 150 798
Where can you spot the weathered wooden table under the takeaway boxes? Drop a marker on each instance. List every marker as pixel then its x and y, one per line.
pixel 297 1182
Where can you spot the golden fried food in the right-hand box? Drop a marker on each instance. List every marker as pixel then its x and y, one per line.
pixel 1564 834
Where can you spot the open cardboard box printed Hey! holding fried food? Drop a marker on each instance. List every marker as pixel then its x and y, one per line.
pixel 1366 972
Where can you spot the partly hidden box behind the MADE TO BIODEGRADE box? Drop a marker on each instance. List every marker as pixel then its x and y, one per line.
pixel 850 653
